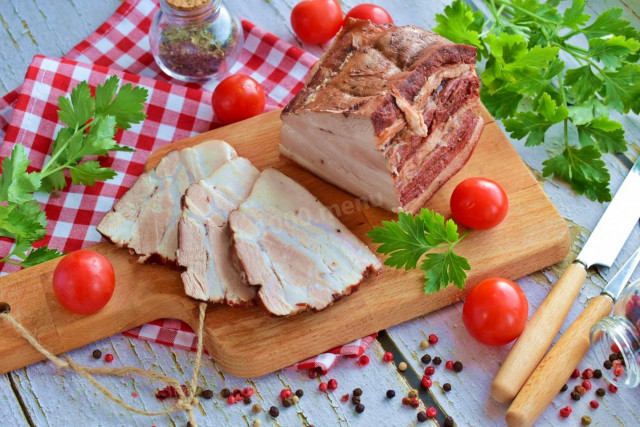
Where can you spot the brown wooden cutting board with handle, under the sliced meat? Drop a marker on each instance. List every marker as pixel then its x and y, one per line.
pixel 246 342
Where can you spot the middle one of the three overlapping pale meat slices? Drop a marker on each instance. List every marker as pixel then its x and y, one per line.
pixel 204 234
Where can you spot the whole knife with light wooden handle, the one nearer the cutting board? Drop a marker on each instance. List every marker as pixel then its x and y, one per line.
pixel 601 248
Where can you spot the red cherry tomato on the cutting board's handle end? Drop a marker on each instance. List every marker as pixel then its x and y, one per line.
pixel 84 281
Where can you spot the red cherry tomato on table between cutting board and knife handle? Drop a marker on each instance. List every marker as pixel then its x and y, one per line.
pixel 495 311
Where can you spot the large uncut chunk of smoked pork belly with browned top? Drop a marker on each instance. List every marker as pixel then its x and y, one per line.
pixel 388 114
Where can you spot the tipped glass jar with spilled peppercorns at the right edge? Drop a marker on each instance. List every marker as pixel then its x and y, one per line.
pixel 617 339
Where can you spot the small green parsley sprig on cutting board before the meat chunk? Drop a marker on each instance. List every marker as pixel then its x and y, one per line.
pixel 412 236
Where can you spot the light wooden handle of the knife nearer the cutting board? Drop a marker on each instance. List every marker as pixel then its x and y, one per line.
pixel 538 335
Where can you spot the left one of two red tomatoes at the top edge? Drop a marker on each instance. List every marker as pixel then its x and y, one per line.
pixel 316 21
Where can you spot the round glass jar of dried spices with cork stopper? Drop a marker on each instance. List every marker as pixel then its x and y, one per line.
pixel 195 40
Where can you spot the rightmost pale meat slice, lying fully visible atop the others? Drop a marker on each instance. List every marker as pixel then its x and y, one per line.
pixel 289 244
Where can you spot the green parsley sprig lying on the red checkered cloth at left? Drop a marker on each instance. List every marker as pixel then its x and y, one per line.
pixel 91 123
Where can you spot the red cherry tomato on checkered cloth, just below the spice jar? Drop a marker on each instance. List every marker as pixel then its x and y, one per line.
pixel 236 98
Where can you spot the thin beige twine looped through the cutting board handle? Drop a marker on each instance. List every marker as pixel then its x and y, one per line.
pixel 184 402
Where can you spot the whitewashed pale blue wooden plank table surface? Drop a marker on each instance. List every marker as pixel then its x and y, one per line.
pixel 39 395
